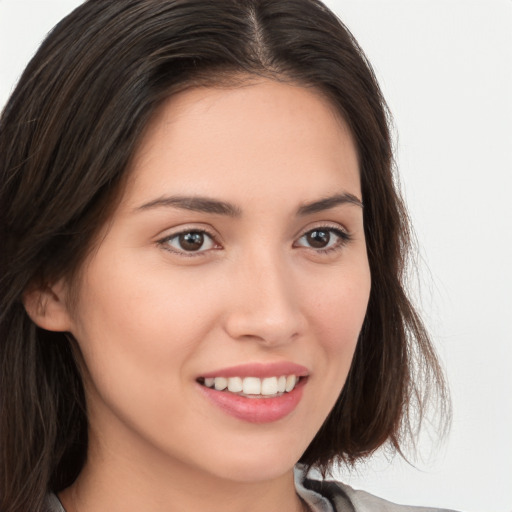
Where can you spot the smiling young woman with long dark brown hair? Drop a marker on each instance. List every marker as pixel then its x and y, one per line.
pixel 203 263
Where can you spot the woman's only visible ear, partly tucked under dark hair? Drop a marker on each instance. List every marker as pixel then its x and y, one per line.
pixel 47 307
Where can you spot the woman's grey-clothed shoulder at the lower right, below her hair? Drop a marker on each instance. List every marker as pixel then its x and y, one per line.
pixel 346 499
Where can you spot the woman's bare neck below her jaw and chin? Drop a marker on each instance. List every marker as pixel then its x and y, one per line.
pixel 119 486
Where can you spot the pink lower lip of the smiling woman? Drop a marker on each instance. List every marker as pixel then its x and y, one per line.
pixel 256 410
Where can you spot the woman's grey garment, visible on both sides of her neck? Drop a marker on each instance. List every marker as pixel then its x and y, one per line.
pixel 320 496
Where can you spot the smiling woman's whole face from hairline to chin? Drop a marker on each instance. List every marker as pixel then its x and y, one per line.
pixel 237 256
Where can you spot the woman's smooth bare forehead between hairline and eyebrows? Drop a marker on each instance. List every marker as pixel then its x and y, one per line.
pixel 260 138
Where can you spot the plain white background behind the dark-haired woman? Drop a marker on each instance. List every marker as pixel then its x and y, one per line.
pixel 445 67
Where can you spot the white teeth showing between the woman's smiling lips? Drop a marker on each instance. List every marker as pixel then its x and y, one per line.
pixel 252 387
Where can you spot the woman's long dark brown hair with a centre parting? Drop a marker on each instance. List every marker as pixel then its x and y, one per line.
pixel 67 135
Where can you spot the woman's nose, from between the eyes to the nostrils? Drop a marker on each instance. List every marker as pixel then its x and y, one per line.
pixel 265 305
